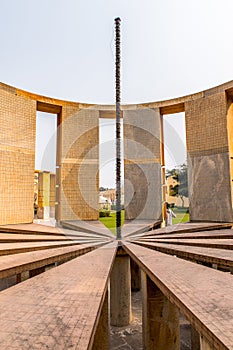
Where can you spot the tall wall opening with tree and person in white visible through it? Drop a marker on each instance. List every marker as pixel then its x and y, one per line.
pixel 174 165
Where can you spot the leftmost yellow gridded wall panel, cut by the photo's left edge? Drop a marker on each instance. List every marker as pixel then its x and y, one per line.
pixel 17 156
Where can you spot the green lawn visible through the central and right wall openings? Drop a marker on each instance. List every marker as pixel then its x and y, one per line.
pixel 110 222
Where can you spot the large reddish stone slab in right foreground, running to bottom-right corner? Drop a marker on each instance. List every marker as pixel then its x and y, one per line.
pixel 201 294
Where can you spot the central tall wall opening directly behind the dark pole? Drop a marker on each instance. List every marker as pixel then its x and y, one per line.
pixel 107 172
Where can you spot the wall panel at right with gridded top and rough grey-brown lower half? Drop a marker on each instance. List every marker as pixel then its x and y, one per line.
pixel 208 158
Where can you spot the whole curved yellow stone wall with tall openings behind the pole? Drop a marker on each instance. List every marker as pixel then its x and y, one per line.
pixel 209 134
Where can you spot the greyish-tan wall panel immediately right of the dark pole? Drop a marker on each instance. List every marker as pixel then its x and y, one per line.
pixel 142 164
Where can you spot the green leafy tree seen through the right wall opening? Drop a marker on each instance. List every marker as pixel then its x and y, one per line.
pixel 180 175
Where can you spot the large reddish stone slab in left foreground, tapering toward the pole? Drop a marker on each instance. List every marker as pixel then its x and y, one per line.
pixel 58 309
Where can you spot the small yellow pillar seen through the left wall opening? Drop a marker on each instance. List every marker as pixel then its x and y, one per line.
pixel 43 195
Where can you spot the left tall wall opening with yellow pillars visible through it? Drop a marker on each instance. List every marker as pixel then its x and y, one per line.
pixel 45 166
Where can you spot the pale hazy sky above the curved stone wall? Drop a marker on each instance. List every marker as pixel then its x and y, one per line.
pixel 65 48
